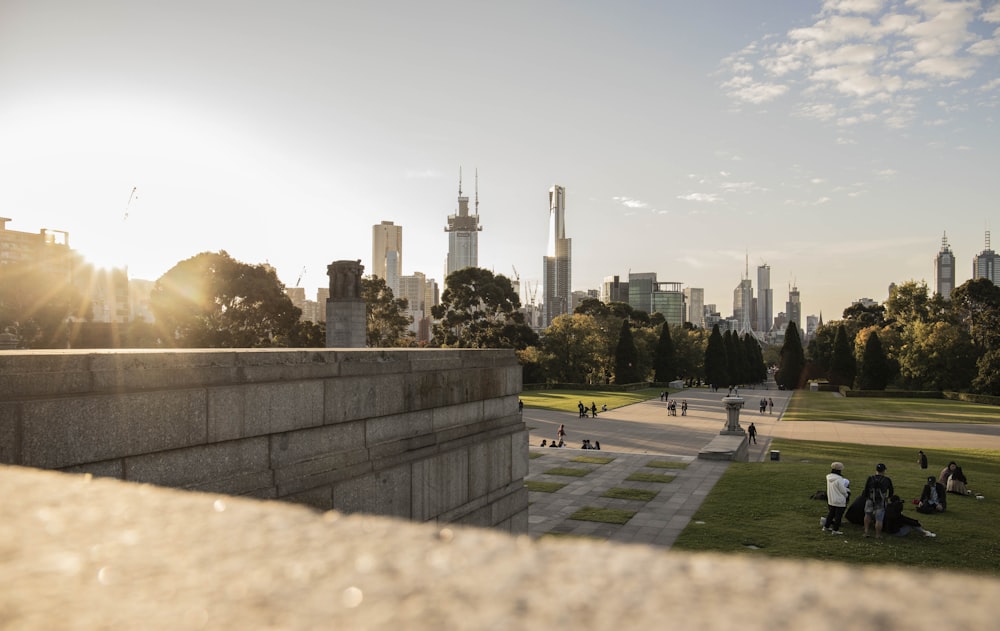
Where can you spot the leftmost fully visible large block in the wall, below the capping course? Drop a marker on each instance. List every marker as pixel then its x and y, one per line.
pixel 64 432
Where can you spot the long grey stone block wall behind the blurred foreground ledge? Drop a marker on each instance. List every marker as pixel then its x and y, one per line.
pixel 423 434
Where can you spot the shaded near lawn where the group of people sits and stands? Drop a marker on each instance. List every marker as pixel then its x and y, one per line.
pixel 767 505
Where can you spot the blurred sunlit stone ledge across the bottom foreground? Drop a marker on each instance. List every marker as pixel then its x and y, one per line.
pixel 78 552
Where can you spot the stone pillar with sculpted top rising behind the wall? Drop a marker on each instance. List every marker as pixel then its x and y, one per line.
pixel 346 315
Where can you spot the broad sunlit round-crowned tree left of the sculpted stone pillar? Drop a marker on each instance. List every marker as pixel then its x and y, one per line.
pixel 214 301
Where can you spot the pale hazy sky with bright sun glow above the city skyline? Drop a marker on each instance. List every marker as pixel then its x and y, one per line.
pixel 835 141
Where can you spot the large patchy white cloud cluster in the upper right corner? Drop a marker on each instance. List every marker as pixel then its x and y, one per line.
pixel 860 55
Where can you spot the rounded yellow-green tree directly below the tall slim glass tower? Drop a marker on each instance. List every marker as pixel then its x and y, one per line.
pixel 571 350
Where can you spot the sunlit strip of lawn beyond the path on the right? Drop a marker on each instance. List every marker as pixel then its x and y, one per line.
pixel 824 406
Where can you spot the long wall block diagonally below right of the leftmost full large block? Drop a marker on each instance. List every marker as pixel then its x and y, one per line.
pixel 199 465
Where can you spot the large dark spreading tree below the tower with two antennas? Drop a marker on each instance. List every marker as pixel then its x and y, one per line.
pixel 480 310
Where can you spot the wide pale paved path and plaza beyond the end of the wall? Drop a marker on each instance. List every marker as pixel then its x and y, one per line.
pixel 640 433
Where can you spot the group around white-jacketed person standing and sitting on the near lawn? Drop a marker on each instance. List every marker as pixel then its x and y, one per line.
pixel 878 508
